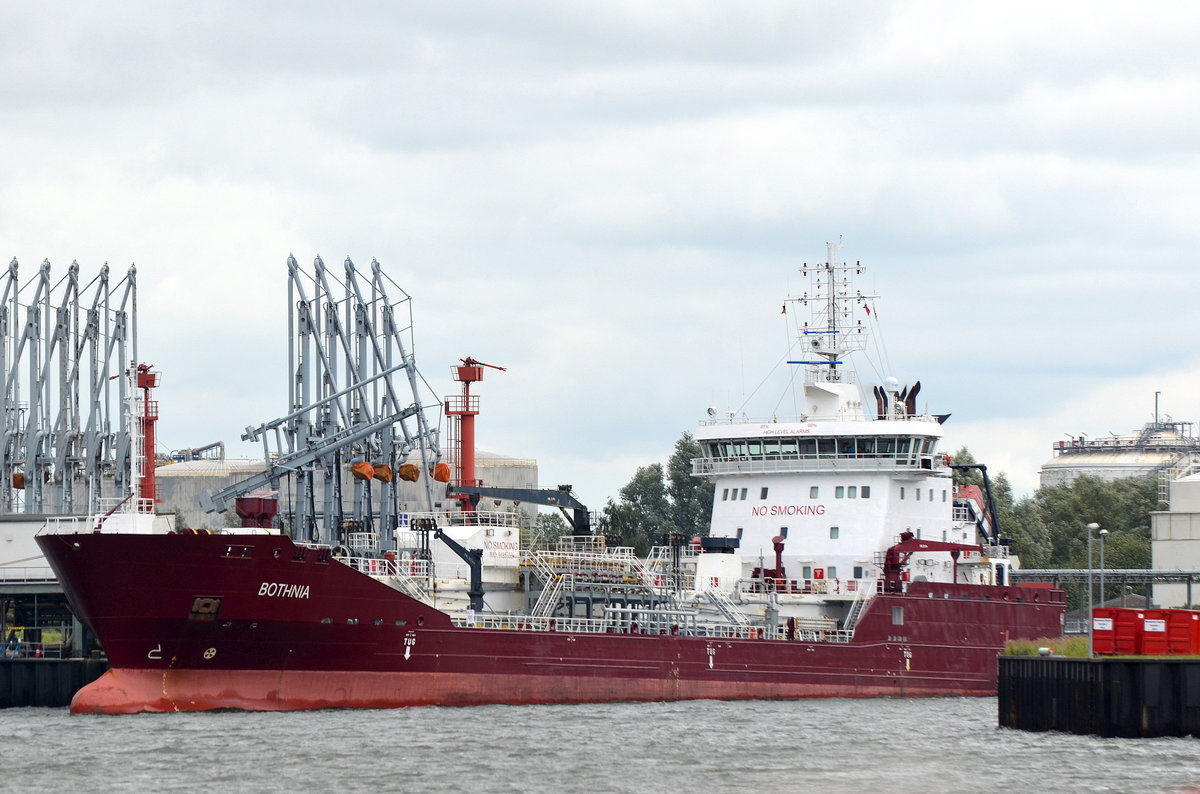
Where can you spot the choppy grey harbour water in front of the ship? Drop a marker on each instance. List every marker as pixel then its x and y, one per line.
pixel 830 745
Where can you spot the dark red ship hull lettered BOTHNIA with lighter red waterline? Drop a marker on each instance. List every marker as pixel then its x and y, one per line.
pixel 253 622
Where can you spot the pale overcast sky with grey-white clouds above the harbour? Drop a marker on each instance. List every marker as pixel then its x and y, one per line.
pixel 613 200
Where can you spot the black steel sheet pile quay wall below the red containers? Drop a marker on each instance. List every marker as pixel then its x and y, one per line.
pixel 1106 697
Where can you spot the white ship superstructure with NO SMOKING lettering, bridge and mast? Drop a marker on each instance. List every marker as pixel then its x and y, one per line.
pixel 841 484
